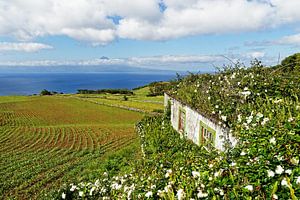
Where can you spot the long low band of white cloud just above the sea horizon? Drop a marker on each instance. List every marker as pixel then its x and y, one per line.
pixel 175 62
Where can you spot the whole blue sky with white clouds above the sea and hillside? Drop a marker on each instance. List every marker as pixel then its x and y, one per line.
pixel 159 34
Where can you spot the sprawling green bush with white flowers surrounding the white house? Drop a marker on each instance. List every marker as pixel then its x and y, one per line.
pixel 261 108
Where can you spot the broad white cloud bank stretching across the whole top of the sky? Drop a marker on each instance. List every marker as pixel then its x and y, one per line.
pixel 93 20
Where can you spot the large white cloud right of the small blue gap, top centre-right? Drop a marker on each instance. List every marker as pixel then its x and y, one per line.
pixel 199 17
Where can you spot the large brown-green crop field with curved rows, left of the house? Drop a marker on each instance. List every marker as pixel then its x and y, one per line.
pixel 48 141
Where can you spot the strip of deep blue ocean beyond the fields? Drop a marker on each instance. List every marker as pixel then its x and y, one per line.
pixel 33 83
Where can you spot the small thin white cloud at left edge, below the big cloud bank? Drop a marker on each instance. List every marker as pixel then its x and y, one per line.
pixel 23 46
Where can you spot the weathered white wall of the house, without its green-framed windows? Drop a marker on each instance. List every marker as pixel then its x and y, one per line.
pixel 192 124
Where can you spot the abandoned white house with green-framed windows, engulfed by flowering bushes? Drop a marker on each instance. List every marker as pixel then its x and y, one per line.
pixel 195 126
